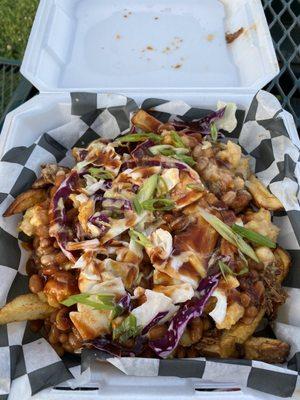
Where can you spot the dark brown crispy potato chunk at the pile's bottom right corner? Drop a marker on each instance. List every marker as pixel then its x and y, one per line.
pixel 265 349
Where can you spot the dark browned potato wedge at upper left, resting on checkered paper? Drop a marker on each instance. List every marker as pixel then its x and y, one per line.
pixel 26 200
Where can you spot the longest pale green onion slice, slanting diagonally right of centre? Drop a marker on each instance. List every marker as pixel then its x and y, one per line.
pixel 228 234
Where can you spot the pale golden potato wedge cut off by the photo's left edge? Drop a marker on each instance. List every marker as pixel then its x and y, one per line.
pixel 26 307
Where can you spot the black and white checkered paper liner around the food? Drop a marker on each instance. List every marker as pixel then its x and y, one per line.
pixel 28 363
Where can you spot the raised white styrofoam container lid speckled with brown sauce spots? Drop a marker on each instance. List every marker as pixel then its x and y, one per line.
pixel 149 46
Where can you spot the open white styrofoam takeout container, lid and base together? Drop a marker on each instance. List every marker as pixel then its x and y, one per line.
pixel 140 48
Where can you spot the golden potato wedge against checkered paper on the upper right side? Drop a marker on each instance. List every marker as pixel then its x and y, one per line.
pixel 261 195
